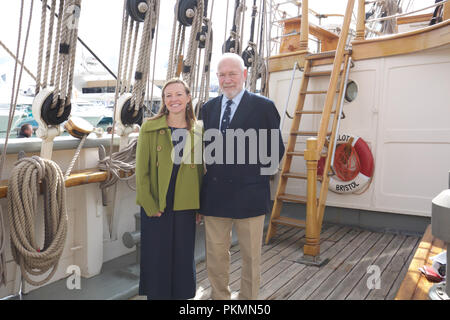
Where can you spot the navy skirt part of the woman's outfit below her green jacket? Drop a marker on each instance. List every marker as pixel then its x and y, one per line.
pixel 167 256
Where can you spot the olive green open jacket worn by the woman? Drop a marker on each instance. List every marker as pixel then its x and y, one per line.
pixel 154 163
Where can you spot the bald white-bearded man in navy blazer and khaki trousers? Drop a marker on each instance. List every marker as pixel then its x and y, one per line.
pixel 236 193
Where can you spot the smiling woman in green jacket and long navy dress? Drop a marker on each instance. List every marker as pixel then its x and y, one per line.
pixel 168 191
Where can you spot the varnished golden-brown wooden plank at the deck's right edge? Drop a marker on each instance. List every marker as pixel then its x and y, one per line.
pixel 412 277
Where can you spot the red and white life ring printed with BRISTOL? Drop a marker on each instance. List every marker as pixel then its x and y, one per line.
pixel 362 175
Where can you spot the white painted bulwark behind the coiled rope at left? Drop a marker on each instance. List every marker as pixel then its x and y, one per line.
pixel 88 243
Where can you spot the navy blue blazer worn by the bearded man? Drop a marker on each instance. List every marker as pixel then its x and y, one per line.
pixel 239 190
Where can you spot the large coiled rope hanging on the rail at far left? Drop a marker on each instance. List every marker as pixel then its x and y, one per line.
pixel 23 190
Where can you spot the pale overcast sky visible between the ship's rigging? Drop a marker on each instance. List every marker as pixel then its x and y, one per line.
pixel 100 27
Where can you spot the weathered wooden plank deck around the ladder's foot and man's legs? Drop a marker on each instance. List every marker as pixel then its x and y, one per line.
pixel 350 252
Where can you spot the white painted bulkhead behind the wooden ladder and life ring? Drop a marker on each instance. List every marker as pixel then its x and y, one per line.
pixel 402 111
